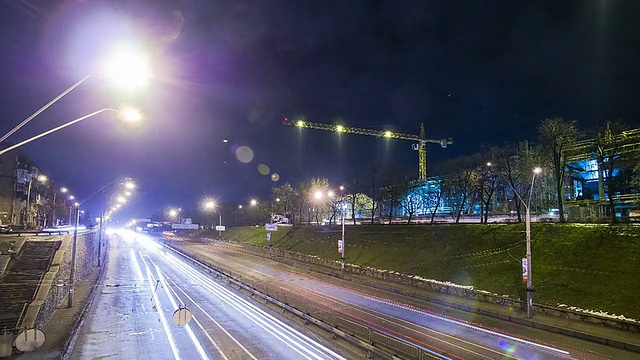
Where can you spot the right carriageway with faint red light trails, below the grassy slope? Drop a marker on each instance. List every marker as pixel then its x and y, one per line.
pixel 446 334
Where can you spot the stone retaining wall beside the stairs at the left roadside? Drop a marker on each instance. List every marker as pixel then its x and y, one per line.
pixel 54 287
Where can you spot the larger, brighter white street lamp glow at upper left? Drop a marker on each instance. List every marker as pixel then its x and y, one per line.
pixel 127 69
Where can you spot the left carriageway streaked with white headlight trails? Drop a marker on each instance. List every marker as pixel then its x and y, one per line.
pixel 145 283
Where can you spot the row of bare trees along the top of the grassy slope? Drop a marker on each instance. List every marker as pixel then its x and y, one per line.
pixel 495 179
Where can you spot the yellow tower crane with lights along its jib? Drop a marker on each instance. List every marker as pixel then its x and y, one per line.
pixel 420 145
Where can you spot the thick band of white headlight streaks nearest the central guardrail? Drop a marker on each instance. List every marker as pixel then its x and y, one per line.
pixel 261 318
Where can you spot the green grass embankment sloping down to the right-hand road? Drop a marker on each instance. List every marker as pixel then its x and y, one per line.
pixel 595 267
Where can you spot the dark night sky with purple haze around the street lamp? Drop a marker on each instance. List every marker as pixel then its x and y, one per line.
pixel 480 72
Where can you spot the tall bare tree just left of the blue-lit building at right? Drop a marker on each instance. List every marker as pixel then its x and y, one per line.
pixel 556 135
